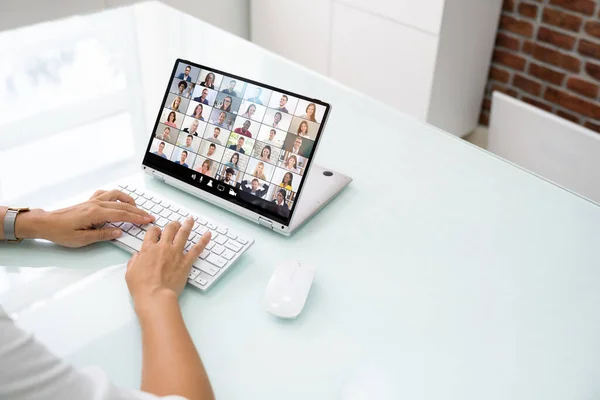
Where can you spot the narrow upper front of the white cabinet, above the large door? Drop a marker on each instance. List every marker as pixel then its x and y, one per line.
pixel 425 15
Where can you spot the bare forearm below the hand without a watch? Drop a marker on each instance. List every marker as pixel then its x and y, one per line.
pixel 171 364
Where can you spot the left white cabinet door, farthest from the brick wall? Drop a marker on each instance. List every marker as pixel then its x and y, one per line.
pixel 297 30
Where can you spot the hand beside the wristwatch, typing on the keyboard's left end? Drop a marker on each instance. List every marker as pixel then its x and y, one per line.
pixel 76 226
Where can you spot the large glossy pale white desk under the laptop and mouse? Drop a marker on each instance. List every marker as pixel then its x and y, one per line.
pixel 442 271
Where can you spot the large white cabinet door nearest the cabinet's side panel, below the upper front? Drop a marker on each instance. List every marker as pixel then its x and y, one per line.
pixel 383 59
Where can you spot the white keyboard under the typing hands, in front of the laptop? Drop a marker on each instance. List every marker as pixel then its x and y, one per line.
pixel 225 247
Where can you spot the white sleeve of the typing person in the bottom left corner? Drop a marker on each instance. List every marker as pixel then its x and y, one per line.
pixel 29 371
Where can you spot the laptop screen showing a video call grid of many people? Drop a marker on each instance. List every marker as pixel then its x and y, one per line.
pixel 243 141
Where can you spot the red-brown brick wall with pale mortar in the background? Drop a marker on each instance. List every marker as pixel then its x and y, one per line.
pixel 547 53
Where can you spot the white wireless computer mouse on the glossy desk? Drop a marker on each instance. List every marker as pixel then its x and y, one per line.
pixel 288 289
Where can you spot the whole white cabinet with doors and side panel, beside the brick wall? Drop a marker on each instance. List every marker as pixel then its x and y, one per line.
pixel 427 58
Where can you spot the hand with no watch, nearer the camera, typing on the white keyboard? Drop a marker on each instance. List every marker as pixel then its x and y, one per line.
pixel 161 267
